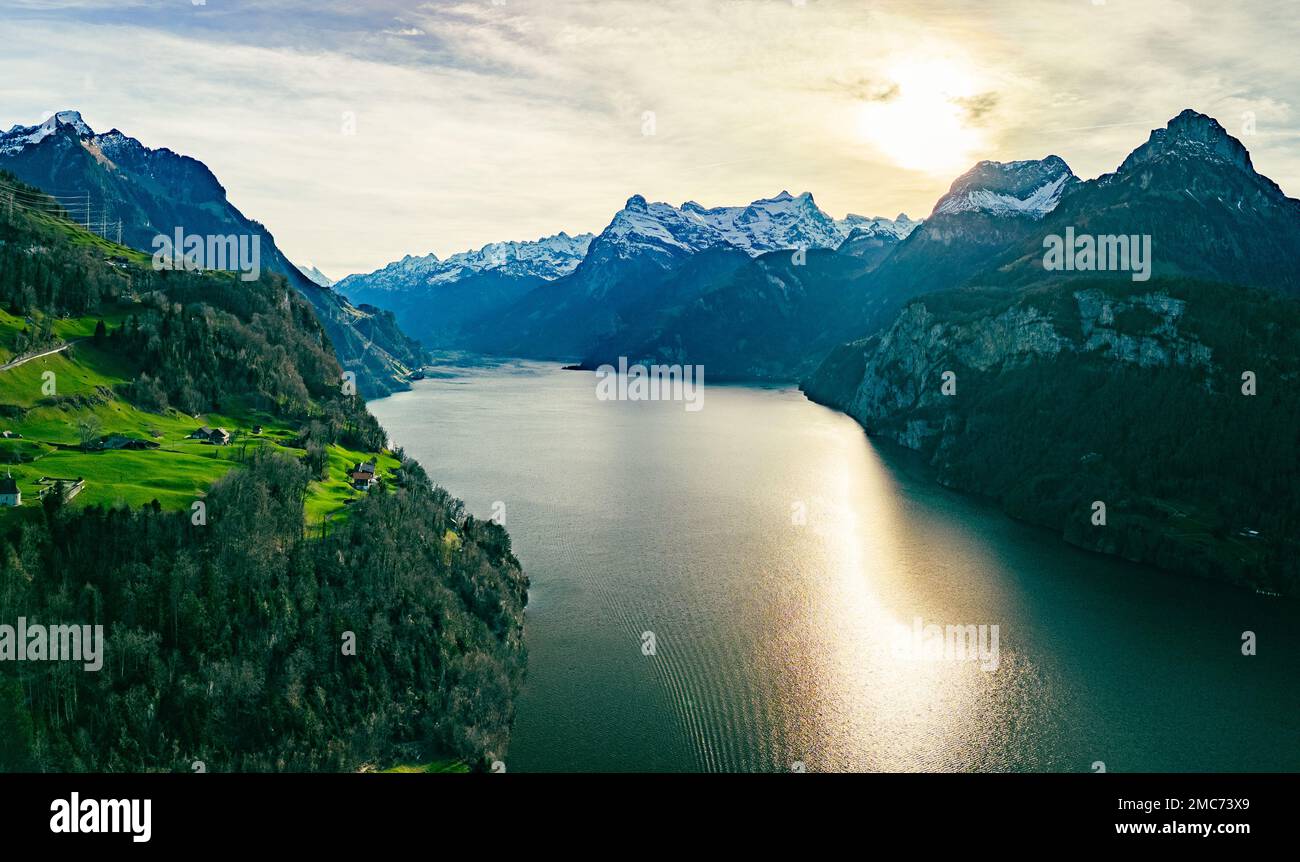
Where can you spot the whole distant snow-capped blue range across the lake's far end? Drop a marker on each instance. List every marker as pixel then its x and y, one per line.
pixel 575 297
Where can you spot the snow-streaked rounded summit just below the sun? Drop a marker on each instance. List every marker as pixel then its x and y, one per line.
pixel 1029 188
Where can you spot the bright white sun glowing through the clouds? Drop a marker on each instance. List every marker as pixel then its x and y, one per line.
pixel 922 124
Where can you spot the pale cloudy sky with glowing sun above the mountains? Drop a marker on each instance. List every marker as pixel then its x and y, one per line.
pixel 365 132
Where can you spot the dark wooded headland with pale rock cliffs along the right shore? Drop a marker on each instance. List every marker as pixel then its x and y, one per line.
pixel 1129 395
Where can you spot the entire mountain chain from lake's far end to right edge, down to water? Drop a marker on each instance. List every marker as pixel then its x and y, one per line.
pixel 1073 384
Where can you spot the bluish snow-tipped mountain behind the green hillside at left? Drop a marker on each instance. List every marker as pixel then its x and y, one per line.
pixel 110 179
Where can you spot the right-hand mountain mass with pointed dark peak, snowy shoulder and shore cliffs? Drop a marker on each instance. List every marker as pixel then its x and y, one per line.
pixel 1168 401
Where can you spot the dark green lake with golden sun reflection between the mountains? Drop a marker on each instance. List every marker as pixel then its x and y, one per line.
pixel 774 639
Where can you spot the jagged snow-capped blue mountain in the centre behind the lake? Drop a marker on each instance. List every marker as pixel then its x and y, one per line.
pixel 636 272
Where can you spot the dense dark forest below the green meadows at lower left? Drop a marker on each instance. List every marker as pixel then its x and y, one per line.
pixel 226 643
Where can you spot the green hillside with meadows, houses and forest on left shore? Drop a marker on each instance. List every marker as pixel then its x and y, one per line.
pixel 258 612
